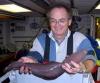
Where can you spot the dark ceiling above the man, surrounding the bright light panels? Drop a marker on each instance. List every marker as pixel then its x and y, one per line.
pixel 40 6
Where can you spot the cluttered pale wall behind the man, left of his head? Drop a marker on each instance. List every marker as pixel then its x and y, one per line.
pixel 19 37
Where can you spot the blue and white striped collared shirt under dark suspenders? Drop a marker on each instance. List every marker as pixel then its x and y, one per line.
pixel 59 52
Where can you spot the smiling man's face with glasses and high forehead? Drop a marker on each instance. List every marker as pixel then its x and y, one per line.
pixel 59 21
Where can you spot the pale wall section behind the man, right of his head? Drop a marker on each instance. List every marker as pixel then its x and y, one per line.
pixel 86 23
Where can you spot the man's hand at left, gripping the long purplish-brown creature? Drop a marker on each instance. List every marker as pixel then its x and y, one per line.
pixel 29 59
